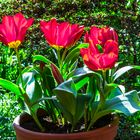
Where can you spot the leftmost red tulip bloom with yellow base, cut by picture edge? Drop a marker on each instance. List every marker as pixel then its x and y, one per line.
pixel 13 29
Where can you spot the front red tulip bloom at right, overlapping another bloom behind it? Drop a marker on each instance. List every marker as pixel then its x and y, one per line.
pixel 100 61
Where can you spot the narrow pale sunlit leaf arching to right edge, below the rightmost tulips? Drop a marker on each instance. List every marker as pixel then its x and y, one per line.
pixel 123 70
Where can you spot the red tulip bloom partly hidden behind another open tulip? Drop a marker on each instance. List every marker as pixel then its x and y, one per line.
pixel 101 35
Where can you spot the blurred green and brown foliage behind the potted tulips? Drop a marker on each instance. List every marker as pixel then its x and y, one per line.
pixel 123 15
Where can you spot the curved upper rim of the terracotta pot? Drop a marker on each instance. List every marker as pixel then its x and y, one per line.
pixel 114 125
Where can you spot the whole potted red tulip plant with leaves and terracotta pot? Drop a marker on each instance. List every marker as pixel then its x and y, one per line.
pixel 63 99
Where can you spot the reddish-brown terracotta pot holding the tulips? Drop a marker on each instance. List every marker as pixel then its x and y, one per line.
pixel 105 133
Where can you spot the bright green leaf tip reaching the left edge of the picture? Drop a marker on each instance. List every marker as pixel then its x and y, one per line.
pixel 10 86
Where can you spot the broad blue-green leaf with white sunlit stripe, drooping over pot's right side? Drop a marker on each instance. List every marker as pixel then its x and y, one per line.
pixel 128 104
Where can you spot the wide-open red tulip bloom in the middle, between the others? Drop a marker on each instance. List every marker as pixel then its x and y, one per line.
pixel 61 35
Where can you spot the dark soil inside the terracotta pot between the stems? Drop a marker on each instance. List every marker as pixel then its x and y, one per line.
pixel 51 127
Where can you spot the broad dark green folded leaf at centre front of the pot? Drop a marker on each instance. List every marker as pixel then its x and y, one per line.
pixel 72 103
